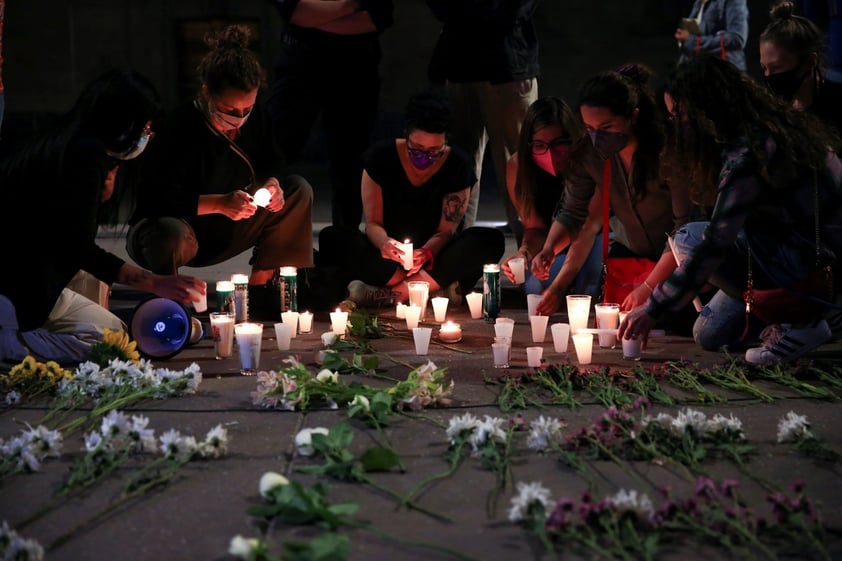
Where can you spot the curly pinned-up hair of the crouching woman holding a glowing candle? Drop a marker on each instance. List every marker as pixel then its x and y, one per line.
pixel 230 63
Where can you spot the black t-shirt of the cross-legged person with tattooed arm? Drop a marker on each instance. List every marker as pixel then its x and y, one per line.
pixel 411 212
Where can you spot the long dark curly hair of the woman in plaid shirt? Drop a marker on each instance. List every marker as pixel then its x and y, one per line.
pixel 718 105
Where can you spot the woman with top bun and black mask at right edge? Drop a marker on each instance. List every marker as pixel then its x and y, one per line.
pixel 791 57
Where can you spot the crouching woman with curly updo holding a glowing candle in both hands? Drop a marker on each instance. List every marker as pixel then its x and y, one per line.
pixel 197 204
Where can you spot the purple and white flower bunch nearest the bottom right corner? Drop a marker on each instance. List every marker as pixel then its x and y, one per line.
pixel 628 525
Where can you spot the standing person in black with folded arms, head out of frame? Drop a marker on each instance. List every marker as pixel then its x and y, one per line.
pixel 329 68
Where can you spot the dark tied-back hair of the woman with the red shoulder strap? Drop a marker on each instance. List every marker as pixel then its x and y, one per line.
pixel 621 91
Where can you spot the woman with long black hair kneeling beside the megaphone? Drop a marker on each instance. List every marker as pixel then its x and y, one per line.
pixel 52 190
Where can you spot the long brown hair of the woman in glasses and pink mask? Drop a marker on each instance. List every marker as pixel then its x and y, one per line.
pixel 543 112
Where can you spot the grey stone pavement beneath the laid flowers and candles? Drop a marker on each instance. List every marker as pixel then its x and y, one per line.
pixel 196 515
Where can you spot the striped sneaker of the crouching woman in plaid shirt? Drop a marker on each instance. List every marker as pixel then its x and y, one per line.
pixel 782 343
